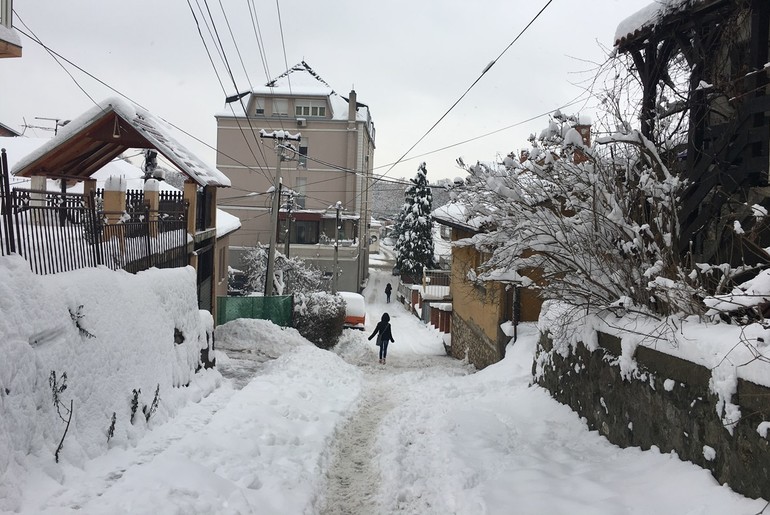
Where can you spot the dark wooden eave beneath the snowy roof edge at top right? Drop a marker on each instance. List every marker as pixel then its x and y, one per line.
pixel 675 24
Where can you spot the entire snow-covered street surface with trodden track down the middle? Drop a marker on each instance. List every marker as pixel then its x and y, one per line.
pixel 294 429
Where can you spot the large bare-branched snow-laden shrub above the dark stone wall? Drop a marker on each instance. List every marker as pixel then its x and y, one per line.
pixel 599 223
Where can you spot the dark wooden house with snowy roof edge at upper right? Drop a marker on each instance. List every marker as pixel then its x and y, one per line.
pixel 721 48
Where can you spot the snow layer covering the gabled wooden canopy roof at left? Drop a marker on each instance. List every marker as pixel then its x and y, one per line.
pixel 157 133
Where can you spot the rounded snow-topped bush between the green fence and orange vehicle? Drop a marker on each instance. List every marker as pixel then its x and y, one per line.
pixel 319 317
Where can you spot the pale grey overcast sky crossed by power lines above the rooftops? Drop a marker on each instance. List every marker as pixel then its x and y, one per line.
pixel 408 60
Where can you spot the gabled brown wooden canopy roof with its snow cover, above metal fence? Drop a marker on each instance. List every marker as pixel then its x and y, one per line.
pixel 102 134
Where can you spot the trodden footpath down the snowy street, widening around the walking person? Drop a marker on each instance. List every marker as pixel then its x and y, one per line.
pixel 353 477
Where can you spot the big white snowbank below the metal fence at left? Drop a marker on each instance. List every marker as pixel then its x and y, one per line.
pixel 119 338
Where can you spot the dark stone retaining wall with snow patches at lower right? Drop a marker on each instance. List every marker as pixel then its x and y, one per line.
pixel 677 415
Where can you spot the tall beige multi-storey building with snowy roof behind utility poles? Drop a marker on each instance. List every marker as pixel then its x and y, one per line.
pixel 331 163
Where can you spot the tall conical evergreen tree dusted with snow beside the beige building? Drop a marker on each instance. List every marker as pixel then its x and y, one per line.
pixel 414 246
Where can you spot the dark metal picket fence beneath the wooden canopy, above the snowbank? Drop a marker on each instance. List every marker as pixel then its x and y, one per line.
pixel 58 232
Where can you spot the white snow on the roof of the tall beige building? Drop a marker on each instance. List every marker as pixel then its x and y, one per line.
pixel 299 81
